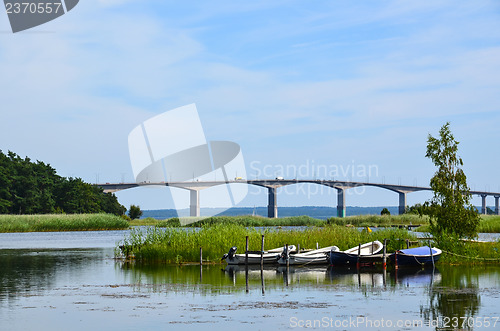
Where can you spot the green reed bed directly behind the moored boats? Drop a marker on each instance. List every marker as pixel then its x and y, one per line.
pixel 178 245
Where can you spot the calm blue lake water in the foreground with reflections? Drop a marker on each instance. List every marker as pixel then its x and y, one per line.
pixel 70 280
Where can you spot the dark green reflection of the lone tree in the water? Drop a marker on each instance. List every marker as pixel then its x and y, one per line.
pixel 456 296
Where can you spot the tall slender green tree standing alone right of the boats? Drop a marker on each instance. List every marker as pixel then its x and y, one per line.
pixel 450 210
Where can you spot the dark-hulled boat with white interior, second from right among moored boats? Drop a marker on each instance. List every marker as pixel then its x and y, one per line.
pixel 368 254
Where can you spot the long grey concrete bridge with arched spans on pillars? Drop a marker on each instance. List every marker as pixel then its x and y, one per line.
pixel 272 185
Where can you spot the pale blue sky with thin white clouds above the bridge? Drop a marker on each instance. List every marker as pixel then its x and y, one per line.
pixel 309 85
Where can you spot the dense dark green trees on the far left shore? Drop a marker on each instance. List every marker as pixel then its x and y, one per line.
pixel 28 187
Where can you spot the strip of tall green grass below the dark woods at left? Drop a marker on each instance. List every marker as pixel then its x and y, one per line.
pixel 61 222
